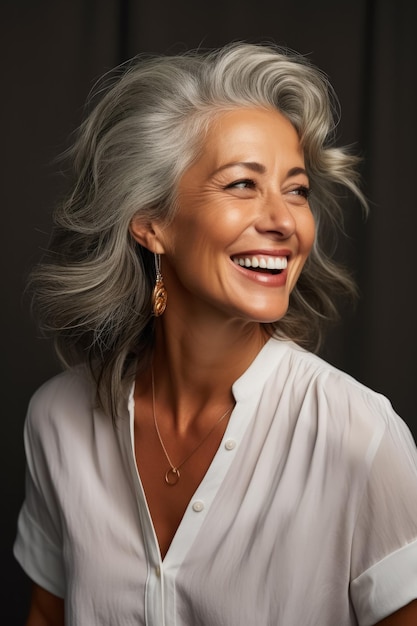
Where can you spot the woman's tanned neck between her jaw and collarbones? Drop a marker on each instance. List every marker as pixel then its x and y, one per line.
pixel 195 366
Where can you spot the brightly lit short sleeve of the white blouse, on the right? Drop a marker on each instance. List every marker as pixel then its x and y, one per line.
pixel 384 551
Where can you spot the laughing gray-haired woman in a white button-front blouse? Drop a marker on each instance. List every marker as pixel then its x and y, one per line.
pixel 196 464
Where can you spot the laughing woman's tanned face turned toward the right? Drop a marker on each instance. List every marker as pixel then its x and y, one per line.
pixel 244 227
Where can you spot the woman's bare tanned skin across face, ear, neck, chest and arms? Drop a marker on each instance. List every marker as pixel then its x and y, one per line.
pixel 245 196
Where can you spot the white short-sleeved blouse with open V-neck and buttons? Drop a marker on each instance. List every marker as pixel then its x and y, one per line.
pixel 307 514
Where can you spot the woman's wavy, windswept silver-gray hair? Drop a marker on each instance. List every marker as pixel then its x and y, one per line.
pixel 94 291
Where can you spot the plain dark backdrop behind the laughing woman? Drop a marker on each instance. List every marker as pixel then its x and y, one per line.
pixel 53 51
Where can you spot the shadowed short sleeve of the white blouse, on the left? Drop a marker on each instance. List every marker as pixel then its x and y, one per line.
pixel 38 545
